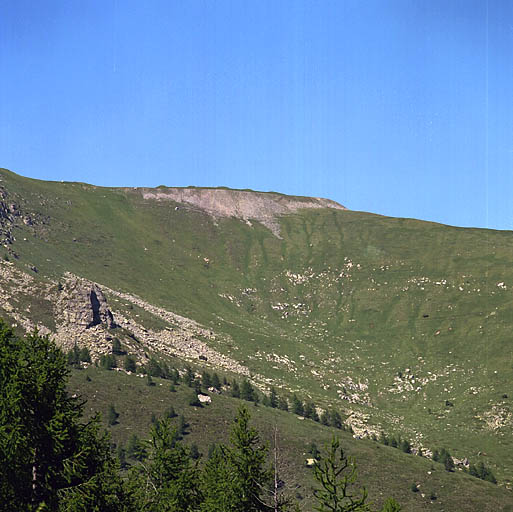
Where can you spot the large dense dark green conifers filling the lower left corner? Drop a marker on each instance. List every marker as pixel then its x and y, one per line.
pixel 48 457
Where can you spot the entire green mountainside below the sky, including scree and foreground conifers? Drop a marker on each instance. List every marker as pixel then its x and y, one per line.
pixel 248 351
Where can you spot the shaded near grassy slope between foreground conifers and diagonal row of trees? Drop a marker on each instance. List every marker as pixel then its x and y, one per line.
pixel 384 471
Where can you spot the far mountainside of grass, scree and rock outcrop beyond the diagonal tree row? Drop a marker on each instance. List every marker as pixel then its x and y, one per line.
pixel 403 324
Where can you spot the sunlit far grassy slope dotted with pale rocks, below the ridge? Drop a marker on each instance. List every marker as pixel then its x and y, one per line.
pixel 367 324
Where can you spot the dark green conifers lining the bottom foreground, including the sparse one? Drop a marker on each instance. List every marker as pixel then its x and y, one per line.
pixel 51 459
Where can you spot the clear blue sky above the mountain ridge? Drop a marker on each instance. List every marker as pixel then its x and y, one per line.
pixel 403 108
